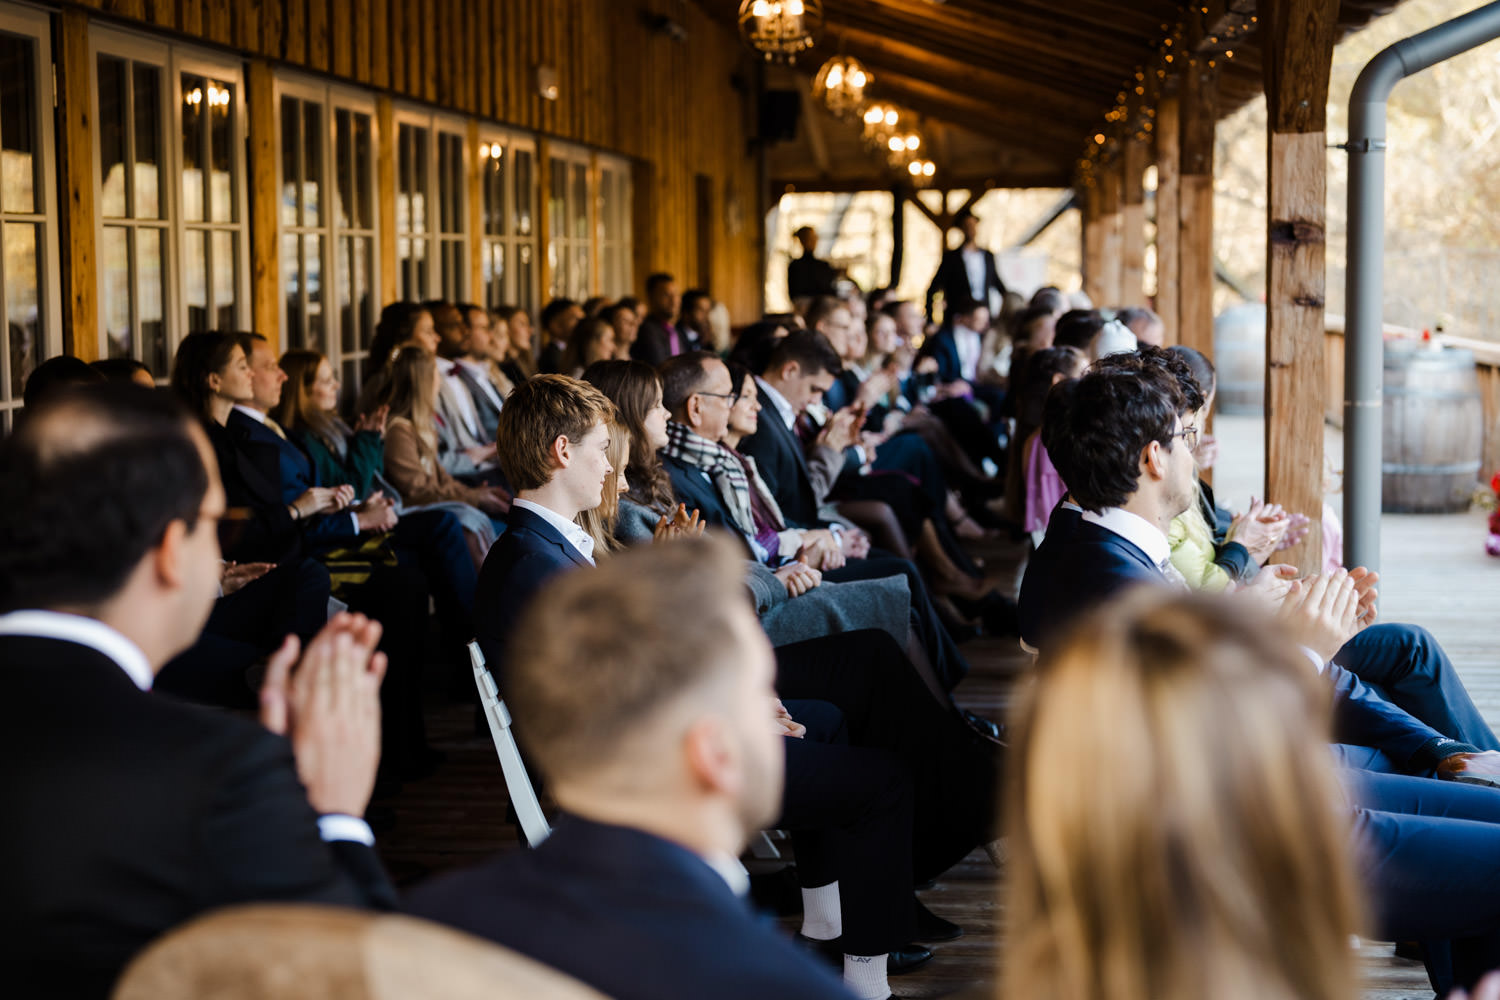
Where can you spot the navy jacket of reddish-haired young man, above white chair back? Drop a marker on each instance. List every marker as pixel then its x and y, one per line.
pixel 518 564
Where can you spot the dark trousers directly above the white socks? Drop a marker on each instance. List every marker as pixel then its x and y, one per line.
pixel 850 810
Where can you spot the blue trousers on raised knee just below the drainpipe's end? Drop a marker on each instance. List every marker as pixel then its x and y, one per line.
pixel 1408 668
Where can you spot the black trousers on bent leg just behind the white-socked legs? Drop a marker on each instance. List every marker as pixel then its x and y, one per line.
pixel 887 707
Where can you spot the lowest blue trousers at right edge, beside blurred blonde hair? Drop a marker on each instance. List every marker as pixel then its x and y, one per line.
pixel 1432 858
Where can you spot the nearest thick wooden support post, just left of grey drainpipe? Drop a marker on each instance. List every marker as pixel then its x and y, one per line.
pixel 1298 55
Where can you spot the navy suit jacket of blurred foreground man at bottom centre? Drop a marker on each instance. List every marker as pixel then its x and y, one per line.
pixel 632 915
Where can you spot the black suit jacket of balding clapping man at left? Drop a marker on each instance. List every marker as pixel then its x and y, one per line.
pixel 130 813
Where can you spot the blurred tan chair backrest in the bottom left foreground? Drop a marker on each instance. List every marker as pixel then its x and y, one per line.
pixel 313 953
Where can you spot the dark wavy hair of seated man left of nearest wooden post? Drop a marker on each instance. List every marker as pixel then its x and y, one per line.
pixel 1096 428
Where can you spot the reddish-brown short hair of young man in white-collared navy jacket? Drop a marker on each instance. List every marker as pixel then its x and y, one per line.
pixel 536 415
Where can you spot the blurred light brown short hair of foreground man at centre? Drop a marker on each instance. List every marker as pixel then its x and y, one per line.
pixel 604 653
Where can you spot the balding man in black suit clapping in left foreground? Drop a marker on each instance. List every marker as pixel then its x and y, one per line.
pixel 131 813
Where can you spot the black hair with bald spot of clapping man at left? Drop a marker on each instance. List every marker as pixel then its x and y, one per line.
pixel 89 484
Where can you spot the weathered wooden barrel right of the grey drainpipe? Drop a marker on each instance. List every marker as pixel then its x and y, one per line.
pixel 1433 430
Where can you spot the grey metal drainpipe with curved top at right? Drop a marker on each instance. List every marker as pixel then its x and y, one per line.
pixel 1364 283
